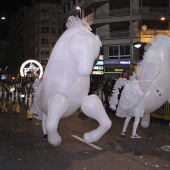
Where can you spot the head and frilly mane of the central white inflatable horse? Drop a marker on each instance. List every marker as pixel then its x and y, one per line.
pixel 80 46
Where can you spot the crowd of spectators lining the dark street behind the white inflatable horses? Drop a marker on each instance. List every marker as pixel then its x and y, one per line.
pixel 23 93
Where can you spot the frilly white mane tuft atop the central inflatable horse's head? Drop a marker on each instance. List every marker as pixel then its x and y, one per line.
pixel 76 21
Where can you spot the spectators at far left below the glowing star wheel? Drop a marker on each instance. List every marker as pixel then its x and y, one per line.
pixel 16 94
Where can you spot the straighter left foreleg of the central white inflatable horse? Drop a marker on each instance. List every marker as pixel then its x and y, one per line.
pixel 57 106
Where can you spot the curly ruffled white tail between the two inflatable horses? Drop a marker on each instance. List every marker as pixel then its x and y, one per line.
pixel 116 92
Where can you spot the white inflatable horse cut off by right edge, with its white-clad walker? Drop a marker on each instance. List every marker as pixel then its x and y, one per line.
pixel 149 88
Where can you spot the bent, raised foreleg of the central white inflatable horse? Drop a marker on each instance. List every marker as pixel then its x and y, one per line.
pixel 93 107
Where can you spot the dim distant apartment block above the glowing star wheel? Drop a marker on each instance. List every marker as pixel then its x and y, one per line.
pixel 33 31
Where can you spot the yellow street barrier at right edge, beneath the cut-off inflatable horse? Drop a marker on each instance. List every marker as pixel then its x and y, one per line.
pixel 163 112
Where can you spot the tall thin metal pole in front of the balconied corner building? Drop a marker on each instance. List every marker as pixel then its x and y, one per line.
pixel 131 39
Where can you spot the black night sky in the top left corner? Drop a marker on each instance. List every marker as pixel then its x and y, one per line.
pixel 7 8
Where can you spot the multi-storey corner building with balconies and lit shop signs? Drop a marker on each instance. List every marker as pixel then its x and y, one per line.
pixel 120 24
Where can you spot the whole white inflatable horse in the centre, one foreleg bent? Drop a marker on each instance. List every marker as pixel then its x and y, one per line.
pixel 66 81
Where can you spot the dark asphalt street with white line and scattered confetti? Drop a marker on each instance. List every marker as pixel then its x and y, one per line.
pixel 22 147
